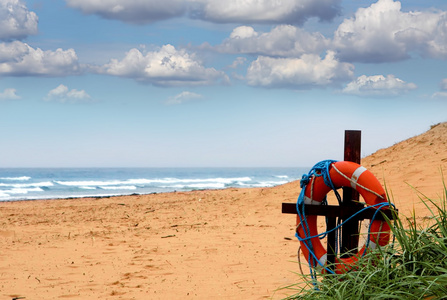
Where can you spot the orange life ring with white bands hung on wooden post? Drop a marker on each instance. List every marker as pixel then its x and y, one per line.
pixel 343 174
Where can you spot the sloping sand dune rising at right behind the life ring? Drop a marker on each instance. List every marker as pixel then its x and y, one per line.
pixel 415 164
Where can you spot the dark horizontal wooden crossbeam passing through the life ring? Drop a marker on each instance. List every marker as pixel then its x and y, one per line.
pixel 335 211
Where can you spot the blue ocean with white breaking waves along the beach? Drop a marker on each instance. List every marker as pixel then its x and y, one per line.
pixel 55 183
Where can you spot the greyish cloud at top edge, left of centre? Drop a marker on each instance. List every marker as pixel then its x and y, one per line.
pixel 131 11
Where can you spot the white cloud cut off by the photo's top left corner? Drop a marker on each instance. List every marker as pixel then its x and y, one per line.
pixel 16 21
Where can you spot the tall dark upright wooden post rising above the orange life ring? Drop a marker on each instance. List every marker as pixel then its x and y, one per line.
pixel 350 229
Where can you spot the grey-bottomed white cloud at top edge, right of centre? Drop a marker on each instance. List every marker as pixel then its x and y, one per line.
pixel 264 11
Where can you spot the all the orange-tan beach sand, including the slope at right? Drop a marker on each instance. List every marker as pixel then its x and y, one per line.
pixel 220 244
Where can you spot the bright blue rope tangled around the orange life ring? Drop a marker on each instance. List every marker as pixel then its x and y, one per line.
pixel 322 169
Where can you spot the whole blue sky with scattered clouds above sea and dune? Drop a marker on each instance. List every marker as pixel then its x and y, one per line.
pixel 212 83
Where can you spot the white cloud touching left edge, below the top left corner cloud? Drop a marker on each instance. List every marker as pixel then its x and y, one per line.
pixel 19 59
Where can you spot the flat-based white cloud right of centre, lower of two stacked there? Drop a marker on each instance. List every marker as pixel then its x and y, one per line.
pixel 306 72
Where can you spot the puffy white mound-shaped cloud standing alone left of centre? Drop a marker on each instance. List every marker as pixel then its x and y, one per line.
pixel 165 67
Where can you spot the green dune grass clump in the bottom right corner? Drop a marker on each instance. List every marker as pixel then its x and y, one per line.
pixel 413 266
